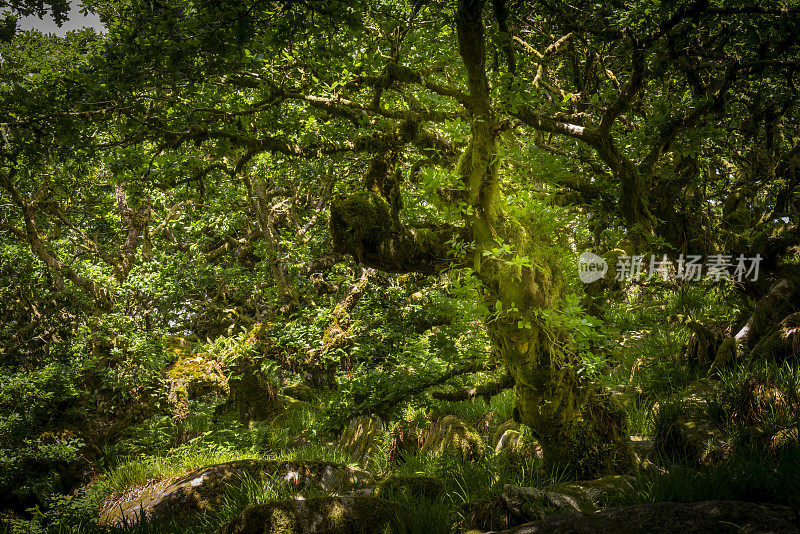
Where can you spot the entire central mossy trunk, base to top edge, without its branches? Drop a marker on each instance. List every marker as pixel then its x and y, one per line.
pixel 577 425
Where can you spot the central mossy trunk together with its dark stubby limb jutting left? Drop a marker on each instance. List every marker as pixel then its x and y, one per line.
pixel 576 423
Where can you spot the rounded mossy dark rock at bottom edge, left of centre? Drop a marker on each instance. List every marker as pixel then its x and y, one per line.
pixel 321 515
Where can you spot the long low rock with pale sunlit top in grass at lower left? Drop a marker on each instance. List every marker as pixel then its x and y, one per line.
pixel 204 489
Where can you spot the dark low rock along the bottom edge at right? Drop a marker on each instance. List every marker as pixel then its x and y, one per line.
pixel 672 518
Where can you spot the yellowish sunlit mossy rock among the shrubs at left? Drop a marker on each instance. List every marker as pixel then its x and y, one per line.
pixel 193 376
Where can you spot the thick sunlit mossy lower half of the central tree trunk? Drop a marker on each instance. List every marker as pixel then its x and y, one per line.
pixel 580 428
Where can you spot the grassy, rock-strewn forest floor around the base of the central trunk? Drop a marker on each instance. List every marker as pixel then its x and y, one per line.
pixel 444 467
